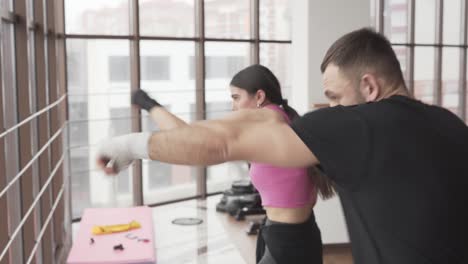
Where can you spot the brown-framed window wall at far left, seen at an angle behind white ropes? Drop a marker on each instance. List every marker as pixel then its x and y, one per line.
pixel 34 189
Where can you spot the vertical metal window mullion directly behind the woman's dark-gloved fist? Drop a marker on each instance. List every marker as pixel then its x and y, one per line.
pixel 135 85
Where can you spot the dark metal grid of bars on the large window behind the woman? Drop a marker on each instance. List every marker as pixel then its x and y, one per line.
pixel 200 75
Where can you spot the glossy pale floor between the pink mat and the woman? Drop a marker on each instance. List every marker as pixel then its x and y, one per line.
pixel 219 239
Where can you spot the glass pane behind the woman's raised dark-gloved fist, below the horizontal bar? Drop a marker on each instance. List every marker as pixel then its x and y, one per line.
pixel 166 76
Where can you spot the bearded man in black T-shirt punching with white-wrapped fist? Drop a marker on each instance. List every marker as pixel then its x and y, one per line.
pixel 399 165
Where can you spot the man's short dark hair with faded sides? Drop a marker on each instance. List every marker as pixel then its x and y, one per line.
pixel 362 51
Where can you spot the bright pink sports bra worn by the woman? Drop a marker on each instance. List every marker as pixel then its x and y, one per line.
pixel 282 187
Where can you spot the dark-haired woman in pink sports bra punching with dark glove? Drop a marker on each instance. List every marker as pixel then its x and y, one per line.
pixel 290 233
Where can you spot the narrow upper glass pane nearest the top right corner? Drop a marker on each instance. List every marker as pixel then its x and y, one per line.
pixel 452 21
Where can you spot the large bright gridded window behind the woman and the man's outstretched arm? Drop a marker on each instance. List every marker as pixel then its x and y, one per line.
pixel 185 61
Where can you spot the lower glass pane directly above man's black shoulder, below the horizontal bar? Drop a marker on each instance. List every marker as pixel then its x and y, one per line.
pixel 424 74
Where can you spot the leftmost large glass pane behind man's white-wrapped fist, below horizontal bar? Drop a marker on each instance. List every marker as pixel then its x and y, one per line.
pixel 99 107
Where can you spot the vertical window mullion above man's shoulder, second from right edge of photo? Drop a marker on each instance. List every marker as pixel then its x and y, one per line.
pixel 438 53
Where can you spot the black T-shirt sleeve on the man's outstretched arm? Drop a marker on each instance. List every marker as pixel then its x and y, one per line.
pixel 340 139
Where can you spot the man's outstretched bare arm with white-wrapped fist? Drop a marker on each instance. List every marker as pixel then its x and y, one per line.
pixel 252 135
